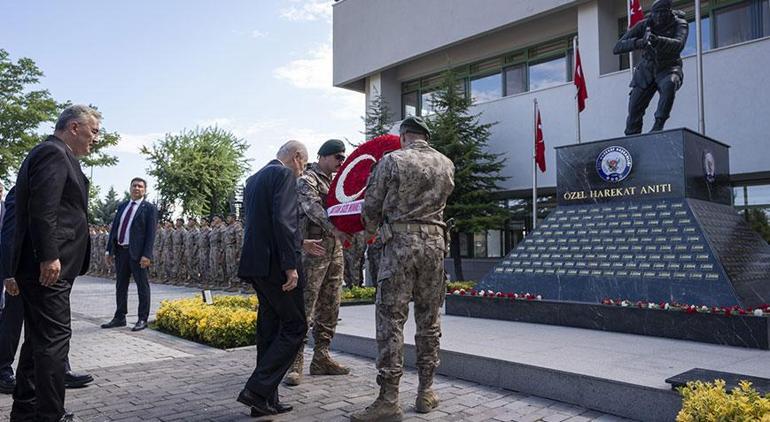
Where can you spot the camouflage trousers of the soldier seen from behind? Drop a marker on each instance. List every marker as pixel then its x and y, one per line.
pixel 412 268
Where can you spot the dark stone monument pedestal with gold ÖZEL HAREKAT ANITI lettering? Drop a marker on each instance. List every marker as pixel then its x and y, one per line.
pixel 642 218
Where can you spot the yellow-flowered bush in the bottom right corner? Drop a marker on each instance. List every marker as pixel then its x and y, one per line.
pixel 707 402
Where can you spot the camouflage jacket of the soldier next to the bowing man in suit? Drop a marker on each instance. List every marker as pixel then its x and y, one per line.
pixel 312 188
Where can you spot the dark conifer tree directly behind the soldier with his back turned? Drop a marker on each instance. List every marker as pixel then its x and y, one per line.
pixel 460 136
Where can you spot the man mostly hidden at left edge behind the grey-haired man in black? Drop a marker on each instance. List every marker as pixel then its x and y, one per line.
pixel 12 316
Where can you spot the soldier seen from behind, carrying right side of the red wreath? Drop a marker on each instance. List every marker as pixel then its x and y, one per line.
pixel 406 195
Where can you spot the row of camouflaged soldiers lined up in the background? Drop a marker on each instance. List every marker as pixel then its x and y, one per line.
pixel 206 255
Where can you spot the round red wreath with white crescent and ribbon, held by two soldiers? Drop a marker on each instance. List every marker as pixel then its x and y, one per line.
pixel 346 193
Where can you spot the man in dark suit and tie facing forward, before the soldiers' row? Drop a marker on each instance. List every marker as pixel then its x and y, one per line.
pixel 130 243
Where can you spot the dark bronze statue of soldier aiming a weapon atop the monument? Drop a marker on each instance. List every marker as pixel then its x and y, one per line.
pixel 660 36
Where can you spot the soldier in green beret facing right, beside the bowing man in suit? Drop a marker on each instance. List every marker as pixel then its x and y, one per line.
pixel 323 274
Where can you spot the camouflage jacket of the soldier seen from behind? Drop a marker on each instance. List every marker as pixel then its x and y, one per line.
pixel 410 185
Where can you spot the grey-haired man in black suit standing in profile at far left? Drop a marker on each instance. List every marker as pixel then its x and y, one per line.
pixel 51 248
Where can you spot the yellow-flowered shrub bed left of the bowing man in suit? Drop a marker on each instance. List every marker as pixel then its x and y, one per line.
pixel 230 322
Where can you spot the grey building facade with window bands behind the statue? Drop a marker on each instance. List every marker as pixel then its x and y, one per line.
pixel 507 53
